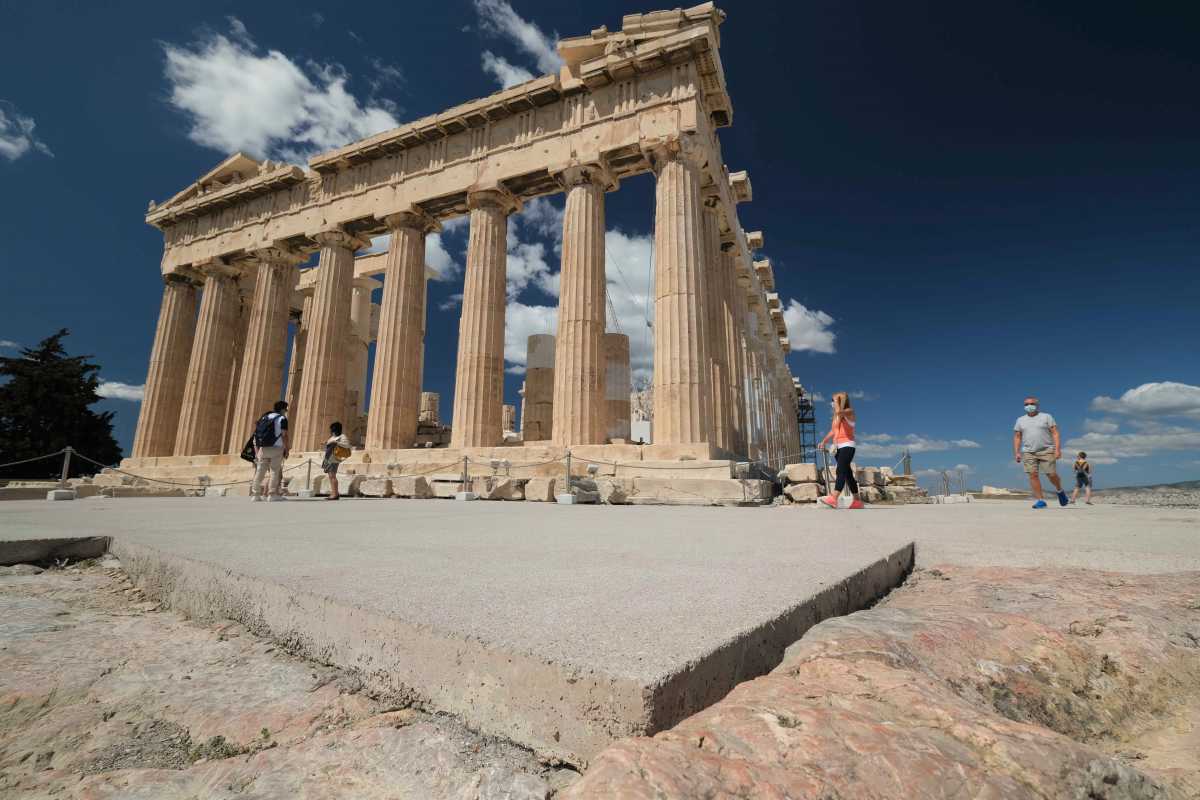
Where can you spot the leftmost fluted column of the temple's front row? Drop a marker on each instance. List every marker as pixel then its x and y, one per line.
pixel 167 376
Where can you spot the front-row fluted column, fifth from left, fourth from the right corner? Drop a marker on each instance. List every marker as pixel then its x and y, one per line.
pixel 397 387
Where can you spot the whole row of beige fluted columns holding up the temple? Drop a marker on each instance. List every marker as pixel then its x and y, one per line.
pixel 716 378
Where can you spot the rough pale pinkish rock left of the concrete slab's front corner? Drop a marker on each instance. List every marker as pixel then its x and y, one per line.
pixel 103 696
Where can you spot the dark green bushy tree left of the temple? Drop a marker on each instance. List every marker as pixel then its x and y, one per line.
pixel 45 399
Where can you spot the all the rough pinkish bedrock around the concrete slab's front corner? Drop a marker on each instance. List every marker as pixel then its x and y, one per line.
pixel 965 683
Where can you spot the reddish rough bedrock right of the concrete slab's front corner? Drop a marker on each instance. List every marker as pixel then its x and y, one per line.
pixel 967 683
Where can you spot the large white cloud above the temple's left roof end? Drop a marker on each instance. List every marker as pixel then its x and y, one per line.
pixel 265 105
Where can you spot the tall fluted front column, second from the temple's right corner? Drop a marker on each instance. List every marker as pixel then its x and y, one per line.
pixel 579 357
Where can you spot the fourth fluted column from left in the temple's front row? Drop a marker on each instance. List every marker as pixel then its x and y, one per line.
pixel 322 399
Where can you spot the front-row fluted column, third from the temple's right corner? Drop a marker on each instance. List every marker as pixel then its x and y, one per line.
pixel 479 382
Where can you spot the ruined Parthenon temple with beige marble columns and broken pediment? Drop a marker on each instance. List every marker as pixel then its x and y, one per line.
pixel 650 98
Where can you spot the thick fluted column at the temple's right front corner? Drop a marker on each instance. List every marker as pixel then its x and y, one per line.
pixel 681 352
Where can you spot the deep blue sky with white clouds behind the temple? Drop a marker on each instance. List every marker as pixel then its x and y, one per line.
pixel 963 204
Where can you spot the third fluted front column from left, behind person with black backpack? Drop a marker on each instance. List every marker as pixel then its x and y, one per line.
pixel 267 340
